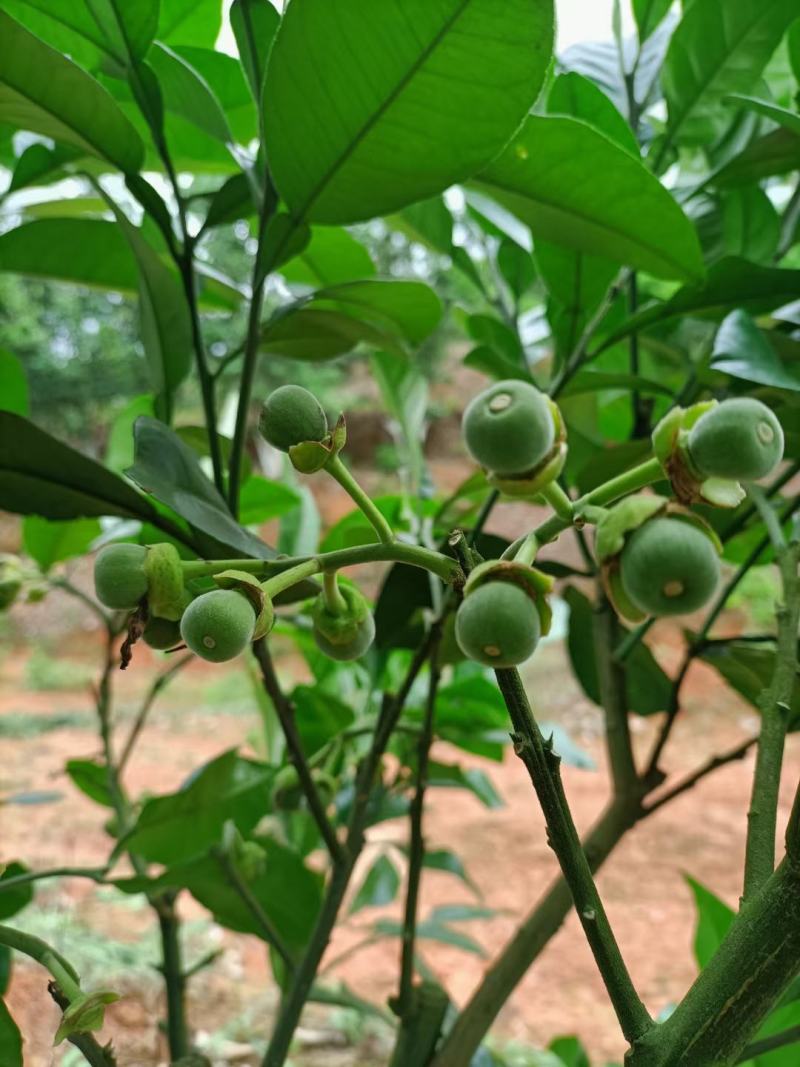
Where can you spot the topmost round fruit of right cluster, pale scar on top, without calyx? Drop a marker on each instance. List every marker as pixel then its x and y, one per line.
pixel 509 428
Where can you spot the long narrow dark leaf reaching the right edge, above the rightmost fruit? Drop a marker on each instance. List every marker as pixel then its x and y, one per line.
pixel 731 283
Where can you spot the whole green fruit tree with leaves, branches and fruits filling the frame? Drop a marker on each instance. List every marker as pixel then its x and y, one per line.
pixel 619 244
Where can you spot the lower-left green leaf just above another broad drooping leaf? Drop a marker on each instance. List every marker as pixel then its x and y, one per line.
pixel 186 824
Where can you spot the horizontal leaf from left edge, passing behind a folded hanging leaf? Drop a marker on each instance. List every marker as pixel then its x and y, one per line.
pixel 94 253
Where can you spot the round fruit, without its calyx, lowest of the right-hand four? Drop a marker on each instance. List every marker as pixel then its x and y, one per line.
pixel 498 625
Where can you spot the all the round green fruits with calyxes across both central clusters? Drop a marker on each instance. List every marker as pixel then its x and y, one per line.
pixel 657 556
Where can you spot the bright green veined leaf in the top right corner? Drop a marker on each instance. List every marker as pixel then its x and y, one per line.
pixel 718 50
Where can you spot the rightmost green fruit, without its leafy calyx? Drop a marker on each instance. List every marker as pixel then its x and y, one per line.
pixel 740 439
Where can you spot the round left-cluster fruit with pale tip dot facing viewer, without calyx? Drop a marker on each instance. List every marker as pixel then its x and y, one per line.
pixel 219 626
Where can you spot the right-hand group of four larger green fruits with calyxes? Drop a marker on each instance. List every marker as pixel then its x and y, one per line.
pixel 657 558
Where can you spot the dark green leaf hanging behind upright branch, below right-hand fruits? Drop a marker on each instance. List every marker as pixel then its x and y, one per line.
pixel 649 689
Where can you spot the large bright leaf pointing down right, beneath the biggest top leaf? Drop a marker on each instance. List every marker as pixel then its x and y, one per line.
pixel 575 187
